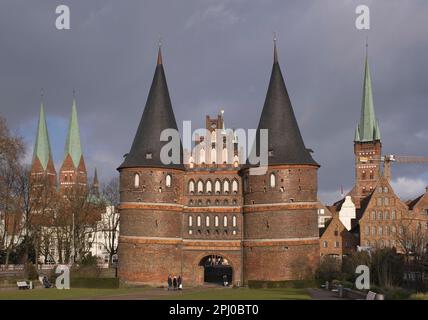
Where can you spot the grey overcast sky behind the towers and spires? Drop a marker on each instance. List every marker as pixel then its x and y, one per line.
pixel 218 54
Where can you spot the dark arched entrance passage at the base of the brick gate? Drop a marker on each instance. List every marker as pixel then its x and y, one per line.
pixel 216 268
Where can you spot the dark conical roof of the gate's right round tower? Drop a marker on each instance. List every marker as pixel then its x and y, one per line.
pixel 285 142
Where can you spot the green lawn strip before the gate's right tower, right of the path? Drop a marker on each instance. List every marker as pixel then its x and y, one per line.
pixel 243 294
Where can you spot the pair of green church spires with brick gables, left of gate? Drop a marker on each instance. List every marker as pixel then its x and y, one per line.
pixel 73 169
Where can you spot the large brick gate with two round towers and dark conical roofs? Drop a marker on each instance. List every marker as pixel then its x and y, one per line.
pixel 210 217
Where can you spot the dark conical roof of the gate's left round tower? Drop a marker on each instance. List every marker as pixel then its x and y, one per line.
pixel 158 116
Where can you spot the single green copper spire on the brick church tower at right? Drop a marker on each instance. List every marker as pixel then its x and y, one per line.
pixel 368 127
